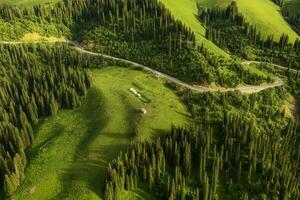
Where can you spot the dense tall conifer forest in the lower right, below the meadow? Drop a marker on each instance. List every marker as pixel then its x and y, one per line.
pixel 238 158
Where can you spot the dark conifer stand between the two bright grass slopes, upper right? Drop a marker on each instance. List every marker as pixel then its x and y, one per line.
pixel 226 26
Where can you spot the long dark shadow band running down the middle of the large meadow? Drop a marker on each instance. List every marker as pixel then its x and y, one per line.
pixel 93 113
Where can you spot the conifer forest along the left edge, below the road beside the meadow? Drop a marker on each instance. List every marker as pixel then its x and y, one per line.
pixel 30 88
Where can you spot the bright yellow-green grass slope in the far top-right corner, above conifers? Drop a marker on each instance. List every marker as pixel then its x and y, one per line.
pixel 262 13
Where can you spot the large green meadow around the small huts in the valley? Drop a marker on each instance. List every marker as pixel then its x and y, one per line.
pixel 70 154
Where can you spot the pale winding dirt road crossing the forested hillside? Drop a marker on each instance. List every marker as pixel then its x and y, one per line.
pixel 196 88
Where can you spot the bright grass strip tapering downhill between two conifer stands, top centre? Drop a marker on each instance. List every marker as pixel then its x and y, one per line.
pixel 186 11
